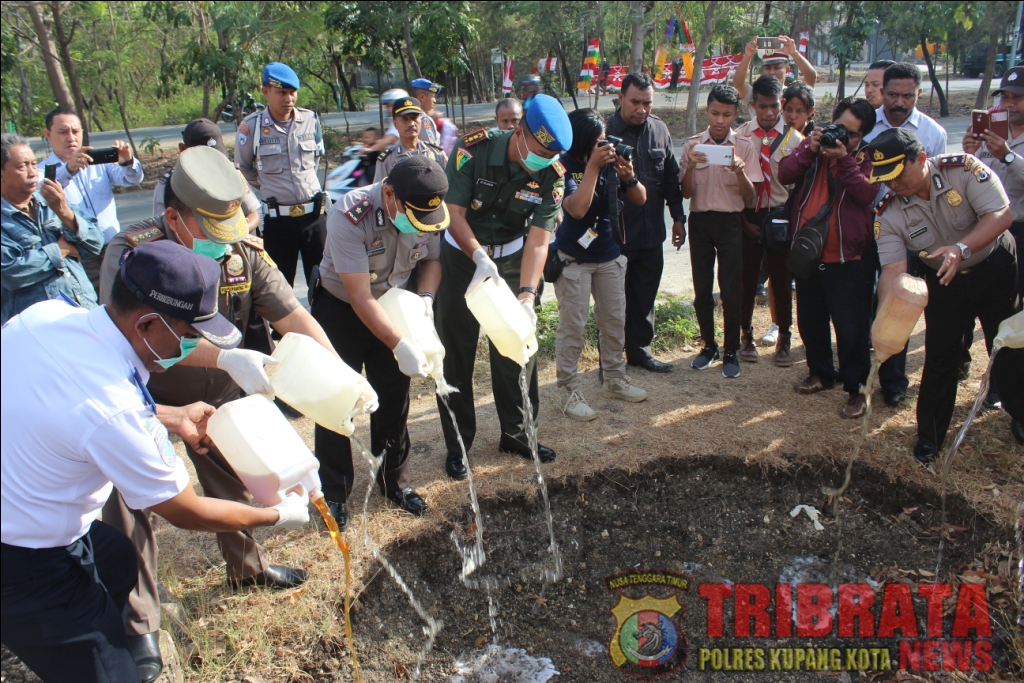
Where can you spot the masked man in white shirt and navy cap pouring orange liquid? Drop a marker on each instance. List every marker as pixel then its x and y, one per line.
pixel 88 425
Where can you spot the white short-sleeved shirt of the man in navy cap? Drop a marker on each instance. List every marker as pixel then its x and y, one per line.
pixel 74 421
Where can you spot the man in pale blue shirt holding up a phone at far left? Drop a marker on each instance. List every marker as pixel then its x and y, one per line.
pixel 87 185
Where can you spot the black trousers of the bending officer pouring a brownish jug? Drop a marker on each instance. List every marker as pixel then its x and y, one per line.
pixel 988 292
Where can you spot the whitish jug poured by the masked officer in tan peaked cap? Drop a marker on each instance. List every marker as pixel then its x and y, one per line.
pixel 319 385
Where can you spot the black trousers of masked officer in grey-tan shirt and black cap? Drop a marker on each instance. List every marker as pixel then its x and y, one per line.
pixel 359 348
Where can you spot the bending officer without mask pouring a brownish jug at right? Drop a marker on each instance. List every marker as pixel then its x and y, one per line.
pixel 954 214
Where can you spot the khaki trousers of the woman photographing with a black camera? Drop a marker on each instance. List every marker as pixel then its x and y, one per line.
pixel 608 284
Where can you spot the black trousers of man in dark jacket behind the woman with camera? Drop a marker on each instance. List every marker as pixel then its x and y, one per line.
pixel 644 277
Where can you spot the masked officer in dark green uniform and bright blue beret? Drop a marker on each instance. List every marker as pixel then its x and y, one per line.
pixel 505 191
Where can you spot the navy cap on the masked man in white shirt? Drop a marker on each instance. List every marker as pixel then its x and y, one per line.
pixel 177 281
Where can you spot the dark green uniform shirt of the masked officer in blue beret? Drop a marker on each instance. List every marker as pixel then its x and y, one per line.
pixel 501 198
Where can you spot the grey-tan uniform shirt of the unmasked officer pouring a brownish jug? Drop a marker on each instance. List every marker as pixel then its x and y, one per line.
pixel 963 190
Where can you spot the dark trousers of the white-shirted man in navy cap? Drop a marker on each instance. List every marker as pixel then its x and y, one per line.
pixel 64 609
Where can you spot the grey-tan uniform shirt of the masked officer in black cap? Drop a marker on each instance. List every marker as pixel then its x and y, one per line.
pixel 361 238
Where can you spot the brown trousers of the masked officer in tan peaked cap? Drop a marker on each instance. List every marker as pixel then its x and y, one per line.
pixel 245 558
